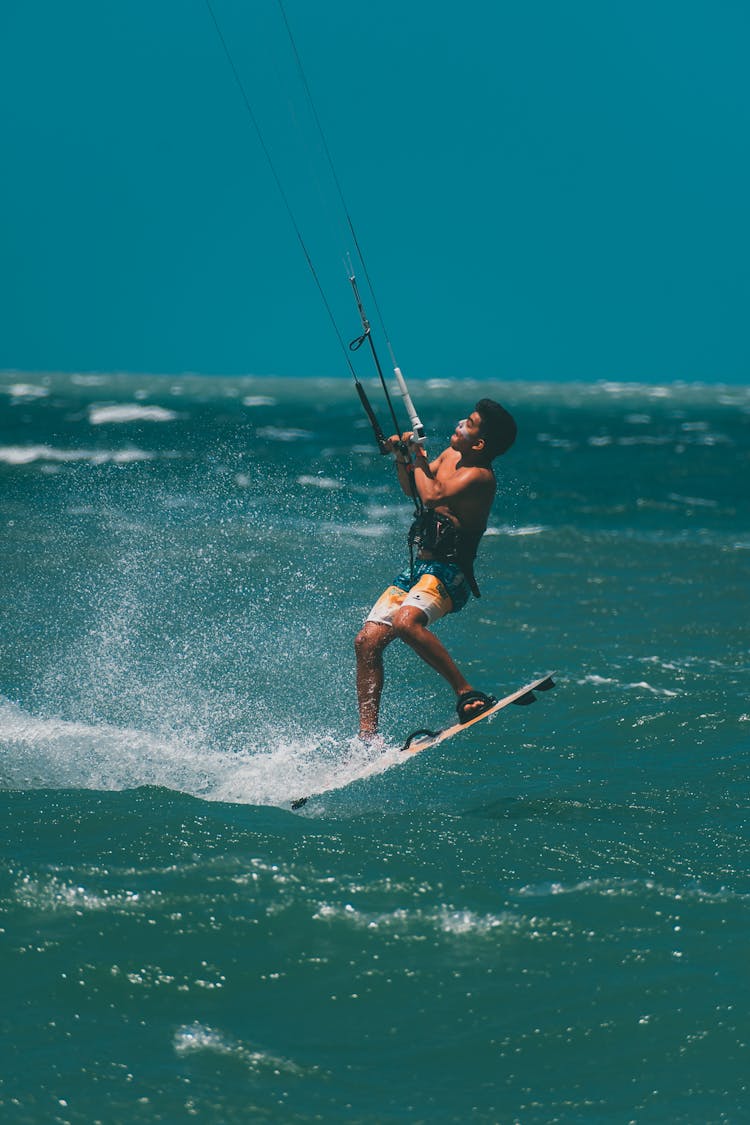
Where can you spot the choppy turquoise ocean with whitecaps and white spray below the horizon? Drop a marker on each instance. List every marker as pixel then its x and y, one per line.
pixel 545 920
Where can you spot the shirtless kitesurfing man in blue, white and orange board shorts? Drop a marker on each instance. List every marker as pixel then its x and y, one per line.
pixel 455 494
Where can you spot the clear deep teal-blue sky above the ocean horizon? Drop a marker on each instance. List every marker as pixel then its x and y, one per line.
pixel 548 191
